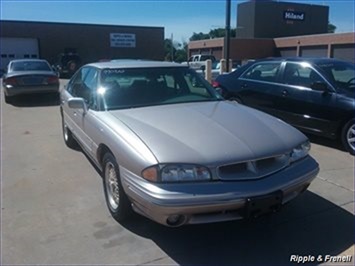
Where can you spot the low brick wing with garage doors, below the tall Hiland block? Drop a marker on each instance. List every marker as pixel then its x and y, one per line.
pixel 337 45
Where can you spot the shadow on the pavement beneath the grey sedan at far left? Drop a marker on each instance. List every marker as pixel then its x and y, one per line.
pixel 36 100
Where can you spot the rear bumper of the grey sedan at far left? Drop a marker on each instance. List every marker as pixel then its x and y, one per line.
pixel 17 90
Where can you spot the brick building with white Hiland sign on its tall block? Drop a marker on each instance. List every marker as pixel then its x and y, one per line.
pixel 272 29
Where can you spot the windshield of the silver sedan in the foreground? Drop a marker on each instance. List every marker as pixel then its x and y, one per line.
pixel 132 87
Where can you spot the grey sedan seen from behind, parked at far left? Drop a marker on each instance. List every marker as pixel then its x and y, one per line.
pixel 26 76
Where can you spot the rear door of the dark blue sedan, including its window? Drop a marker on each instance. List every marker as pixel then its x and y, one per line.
pixel 259 86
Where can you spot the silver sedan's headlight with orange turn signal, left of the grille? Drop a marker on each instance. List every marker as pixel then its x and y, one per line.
pixel 176 173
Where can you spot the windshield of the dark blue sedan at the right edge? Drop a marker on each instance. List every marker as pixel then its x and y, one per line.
pixel 342 73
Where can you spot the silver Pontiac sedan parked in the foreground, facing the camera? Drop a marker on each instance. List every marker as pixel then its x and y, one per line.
pixel 164 141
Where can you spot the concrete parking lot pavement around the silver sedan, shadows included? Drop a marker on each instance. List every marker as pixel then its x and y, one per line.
pixel 53 209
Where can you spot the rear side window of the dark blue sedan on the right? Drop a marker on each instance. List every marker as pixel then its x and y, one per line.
pixel 267 71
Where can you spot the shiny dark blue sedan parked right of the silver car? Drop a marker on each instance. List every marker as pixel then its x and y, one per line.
pixel 315 95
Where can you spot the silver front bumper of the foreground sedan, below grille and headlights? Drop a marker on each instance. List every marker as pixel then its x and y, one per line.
pixel 216 200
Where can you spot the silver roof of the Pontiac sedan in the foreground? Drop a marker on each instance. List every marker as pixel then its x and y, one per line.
pixel 133 63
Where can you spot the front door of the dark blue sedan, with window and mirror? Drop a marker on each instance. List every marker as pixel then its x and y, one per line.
pixel 303 105
